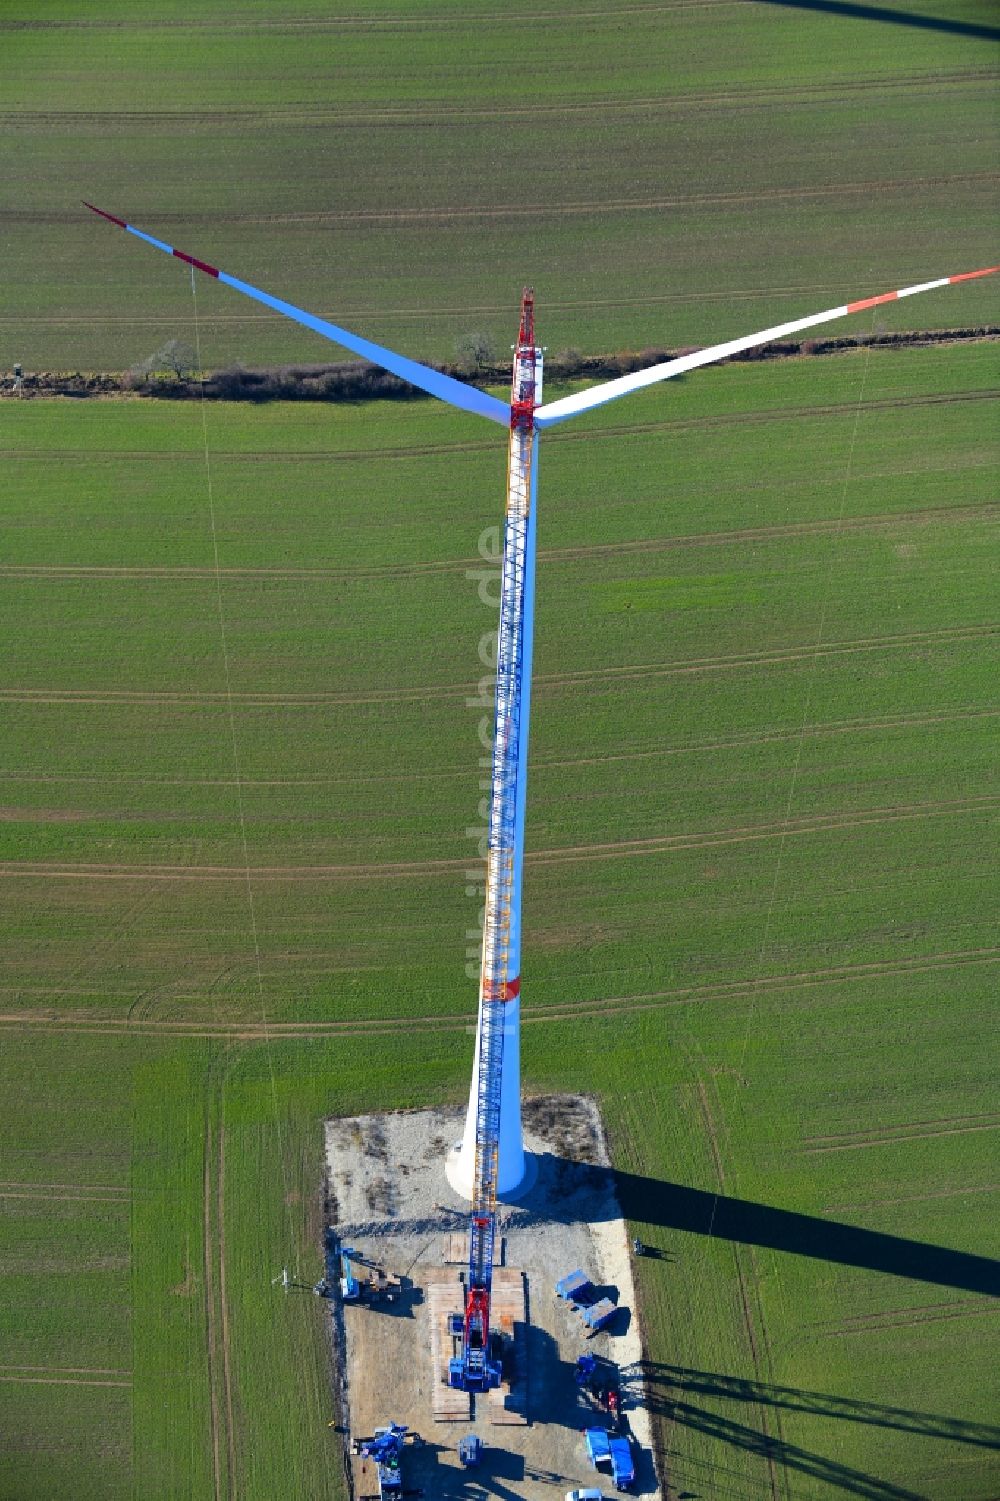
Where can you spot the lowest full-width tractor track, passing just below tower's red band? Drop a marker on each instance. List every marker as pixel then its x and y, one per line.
pixel 49 1021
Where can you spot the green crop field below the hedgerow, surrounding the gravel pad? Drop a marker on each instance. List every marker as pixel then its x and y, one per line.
pixel 759 877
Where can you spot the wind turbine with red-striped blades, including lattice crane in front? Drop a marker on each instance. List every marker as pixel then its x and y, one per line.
pixel 490 1160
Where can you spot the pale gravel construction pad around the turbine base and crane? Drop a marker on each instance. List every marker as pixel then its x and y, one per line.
pixel 390 1200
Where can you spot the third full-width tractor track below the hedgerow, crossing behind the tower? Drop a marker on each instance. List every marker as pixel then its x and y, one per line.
pixel 585 678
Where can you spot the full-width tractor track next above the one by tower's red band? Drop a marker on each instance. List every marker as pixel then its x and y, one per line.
pixel 570 855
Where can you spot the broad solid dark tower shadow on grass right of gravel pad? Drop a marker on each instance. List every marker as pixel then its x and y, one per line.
pixel 651 1202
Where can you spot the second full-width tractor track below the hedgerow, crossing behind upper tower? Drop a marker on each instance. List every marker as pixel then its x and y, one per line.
pixel 460 567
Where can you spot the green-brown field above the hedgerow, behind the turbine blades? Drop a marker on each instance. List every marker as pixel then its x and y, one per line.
pixel 673 175
